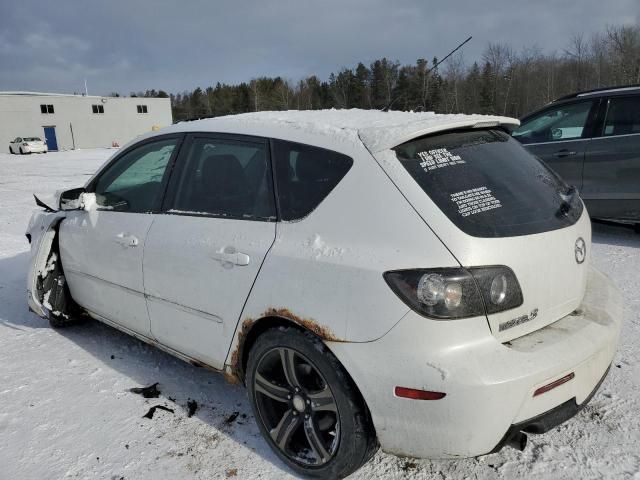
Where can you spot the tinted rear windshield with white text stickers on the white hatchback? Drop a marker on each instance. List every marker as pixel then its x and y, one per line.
pixel 489 185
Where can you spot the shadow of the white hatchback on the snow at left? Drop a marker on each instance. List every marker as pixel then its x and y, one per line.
pixel 223 407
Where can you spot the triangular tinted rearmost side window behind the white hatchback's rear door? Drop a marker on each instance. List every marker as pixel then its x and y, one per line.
pixel 305 176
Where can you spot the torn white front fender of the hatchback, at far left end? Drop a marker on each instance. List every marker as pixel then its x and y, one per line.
pixel 42 230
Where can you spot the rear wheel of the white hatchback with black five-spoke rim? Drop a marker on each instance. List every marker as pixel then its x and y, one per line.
pixel 312 417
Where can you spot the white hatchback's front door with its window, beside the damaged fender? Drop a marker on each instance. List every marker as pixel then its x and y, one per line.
pixel 102 245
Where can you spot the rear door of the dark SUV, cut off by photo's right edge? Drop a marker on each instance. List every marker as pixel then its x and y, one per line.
pixel 611 184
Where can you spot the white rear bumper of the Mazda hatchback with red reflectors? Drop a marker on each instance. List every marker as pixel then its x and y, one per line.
pixel 489 386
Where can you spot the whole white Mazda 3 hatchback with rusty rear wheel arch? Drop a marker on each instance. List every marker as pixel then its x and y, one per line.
pixel 409 280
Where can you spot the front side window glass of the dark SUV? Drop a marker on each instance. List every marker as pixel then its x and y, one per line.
pixel 566 122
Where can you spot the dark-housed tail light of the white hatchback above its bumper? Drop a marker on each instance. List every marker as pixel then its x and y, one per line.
pixel 451 293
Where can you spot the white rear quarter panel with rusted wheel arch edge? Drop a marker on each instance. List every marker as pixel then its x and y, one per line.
pixel 325 271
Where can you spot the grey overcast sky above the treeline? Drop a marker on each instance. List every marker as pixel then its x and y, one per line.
pixel 134 45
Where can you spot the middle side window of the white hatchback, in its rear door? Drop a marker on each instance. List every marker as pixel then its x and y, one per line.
pixel 226 178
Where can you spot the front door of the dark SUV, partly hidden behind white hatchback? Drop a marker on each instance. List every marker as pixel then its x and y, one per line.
pixel 558 136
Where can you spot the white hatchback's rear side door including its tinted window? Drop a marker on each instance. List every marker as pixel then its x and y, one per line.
pixel 204 252
